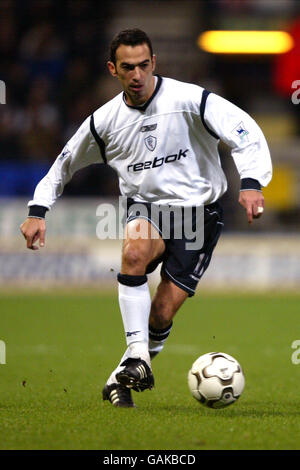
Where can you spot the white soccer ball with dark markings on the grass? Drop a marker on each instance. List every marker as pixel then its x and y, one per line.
pixel 216 380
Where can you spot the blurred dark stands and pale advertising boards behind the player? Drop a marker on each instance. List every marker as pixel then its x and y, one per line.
pixel 53 57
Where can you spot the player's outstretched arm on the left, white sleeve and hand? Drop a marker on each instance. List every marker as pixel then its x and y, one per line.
pixel 81 151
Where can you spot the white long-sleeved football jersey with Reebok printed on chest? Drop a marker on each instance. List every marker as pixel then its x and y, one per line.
pixel 166 151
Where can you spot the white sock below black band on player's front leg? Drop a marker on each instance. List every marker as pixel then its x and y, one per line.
pixel 135 305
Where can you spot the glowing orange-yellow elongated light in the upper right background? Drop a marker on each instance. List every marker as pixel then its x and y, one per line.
pixel 245 42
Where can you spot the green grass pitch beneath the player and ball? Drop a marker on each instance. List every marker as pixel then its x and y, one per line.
pixel 61 347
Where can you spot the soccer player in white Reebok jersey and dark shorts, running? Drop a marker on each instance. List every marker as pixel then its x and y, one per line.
pixel 161 136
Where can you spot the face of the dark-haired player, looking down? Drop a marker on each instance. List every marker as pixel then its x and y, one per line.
pixel 134 68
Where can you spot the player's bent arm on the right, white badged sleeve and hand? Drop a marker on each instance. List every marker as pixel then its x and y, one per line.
pixel 249 150
